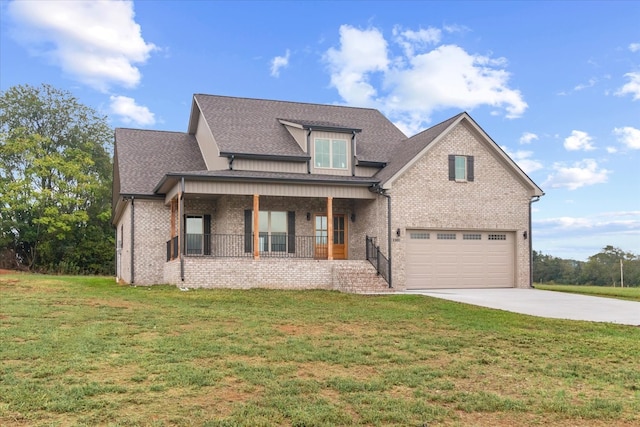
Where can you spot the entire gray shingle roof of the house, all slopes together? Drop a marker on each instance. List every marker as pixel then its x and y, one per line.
pixel 251 126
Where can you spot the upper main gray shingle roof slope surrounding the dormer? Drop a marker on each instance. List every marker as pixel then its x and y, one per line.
pixel 251 126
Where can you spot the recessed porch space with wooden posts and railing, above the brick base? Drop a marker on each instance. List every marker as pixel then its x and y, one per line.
pixel 302 228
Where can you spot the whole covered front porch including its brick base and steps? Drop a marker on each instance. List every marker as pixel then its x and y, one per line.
pixel 300 241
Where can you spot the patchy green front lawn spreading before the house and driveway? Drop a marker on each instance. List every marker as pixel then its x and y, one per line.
pixel 85 351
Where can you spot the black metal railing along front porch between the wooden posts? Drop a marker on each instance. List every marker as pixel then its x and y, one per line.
pixel 241 246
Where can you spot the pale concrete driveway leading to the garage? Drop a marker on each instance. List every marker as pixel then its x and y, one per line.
pixel 540 303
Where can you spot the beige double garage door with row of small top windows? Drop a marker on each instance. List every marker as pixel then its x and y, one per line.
pixel 459 259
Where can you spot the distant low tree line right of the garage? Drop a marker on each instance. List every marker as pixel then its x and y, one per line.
pixel 601 269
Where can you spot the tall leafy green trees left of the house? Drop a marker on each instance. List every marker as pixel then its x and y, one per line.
pixel 55 183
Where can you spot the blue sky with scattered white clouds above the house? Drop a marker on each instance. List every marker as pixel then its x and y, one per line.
pixel 555 84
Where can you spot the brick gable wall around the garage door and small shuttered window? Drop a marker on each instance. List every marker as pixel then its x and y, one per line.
pixel 423 197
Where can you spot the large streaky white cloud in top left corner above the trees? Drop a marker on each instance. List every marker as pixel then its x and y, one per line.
pixel 95 42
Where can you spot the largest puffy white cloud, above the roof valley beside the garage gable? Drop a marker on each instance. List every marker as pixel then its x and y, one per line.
pixel 417 81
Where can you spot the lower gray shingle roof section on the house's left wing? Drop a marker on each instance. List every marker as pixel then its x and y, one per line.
pixel 144 157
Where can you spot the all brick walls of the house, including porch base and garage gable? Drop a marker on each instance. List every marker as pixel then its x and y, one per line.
pixel 422 197
